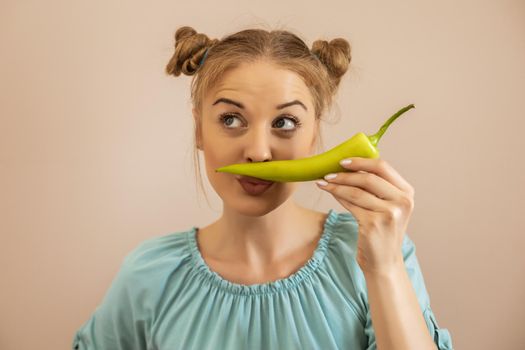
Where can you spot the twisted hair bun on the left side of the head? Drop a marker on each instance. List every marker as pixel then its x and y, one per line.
pixel 190 47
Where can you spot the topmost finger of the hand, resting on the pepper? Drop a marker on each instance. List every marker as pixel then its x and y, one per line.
pixel 380 168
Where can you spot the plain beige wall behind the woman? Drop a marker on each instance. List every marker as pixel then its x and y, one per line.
pixel 95 146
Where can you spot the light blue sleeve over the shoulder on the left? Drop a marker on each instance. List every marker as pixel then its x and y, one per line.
pixel 129 305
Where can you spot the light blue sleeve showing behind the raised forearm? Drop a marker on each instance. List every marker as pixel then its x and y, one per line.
pixel 441 336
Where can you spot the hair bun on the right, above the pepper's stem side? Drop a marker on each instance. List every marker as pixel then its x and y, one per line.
pixel 335 55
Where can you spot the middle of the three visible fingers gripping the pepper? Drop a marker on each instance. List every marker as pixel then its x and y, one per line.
pixel 367 181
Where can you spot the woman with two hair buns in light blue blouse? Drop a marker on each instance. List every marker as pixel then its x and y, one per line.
pixel 269 273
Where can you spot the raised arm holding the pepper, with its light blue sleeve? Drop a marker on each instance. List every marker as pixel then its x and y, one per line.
pixel 382 201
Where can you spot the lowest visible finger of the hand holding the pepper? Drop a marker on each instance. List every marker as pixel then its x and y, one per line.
pixel 356 196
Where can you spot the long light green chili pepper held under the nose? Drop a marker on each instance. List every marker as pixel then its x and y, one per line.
pixel 315 167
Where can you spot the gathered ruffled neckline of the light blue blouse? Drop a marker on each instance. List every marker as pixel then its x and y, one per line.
pixel 202 270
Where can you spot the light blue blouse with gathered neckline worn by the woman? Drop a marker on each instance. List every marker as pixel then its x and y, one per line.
pixel 166 297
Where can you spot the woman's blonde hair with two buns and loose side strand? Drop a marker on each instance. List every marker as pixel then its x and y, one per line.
pixel 321 67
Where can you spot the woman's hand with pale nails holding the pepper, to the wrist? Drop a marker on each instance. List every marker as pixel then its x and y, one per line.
pixel 382 202
